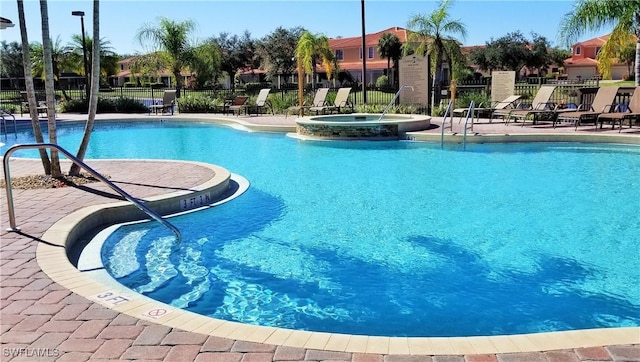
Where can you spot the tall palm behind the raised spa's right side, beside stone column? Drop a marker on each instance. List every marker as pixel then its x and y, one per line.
pixel 431 33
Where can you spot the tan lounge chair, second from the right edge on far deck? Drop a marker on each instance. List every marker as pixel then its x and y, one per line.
pixel 602 103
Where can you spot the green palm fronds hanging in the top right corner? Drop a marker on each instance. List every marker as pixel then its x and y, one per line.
pixel 595 14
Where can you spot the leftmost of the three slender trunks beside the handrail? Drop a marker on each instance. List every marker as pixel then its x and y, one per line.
pixel 31 95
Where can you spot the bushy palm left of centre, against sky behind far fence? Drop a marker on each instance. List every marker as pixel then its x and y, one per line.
pixel 171 39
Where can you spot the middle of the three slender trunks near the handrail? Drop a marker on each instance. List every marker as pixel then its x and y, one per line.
pixel 49 88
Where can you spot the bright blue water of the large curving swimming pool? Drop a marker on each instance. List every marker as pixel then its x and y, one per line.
pixel 390 238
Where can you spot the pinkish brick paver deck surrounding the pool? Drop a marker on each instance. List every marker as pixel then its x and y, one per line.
pixel 42 321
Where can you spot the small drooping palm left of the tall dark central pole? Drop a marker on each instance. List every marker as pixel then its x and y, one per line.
pixel 312 48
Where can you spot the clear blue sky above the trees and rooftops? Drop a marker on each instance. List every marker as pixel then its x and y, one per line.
pixel 120 20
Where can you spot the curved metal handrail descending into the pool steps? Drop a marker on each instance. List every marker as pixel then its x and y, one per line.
pixel 94 173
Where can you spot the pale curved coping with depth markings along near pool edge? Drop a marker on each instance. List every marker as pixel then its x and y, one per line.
pixel 53 260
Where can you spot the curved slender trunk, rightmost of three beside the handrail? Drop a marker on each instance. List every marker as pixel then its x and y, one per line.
pixel 95 87
